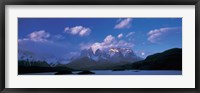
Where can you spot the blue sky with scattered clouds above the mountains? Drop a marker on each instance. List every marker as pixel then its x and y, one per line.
pixel 65 37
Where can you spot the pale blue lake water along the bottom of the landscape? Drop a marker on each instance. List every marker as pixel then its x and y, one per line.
pixel 126 72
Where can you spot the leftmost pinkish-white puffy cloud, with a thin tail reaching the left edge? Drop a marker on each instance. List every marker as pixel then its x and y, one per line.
pixel 37 36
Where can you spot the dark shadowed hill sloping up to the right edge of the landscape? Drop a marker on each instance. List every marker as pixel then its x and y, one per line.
pixel 168 60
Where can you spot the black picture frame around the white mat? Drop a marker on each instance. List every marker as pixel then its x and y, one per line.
pixel 3 3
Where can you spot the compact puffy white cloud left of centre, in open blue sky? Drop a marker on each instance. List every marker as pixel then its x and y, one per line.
pixel 78 30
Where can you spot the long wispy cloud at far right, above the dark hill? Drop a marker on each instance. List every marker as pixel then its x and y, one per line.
pixel 154 35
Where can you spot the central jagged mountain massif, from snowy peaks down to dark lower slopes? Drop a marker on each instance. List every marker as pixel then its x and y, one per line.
pixel 103 59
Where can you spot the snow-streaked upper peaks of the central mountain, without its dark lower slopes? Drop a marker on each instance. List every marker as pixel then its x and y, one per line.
pixel 112 55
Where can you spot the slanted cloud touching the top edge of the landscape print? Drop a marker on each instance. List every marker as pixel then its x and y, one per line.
pixel 125 23
